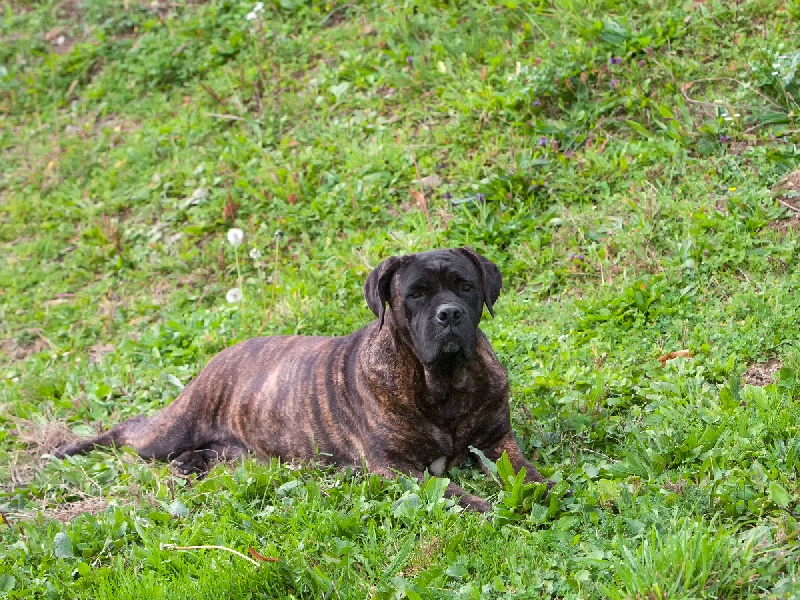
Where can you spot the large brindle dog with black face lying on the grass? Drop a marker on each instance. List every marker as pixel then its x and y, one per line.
pixel 408 392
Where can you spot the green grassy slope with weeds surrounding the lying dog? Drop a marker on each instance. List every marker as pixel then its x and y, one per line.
pixel 628 164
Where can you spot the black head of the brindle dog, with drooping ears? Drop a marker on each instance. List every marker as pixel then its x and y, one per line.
pixel 436 298
